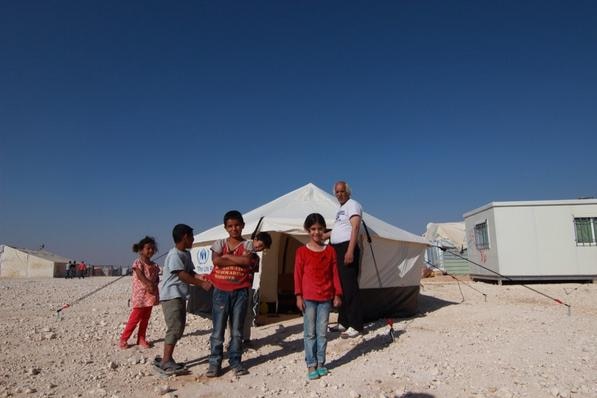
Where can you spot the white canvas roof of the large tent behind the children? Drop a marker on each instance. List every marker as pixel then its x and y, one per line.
pixel 287 214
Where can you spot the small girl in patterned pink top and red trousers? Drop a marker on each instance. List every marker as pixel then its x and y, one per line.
pixel 145 292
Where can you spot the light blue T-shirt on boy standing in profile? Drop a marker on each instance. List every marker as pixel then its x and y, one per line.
pixel 171 286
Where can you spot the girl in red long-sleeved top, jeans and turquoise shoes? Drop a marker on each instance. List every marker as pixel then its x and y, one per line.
pixel 317 288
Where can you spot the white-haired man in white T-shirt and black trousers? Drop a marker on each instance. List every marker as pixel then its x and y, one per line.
pixel 344 238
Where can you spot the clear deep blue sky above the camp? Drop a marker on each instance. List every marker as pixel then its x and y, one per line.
pixel 120 119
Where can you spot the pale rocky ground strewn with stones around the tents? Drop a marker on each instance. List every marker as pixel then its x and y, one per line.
pixel 494 341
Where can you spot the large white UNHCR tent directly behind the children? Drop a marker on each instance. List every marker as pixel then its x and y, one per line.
pixel 390 285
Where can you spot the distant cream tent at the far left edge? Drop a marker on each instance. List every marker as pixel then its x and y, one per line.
pixel 26 263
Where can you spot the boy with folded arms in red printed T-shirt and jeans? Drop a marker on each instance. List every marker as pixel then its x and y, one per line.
pixel 232 284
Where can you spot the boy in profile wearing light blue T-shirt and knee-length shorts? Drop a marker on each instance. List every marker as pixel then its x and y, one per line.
pixel 178 274
